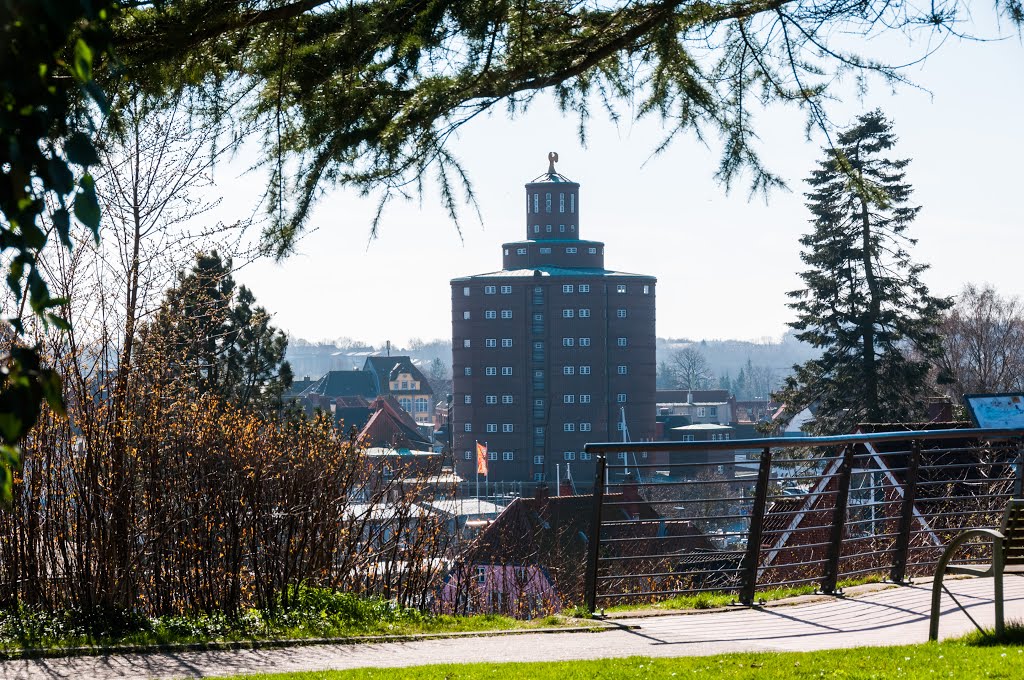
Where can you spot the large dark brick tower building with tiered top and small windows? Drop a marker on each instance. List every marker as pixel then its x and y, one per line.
pixel 551 351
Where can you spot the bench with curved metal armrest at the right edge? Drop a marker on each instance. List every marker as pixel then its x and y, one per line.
pixel 1008 558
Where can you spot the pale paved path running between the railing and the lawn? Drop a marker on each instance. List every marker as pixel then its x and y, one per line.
pixel 899 616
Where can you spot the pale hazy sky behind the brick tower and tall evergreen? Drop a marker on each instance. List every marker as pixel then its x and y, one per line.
pixel 723 263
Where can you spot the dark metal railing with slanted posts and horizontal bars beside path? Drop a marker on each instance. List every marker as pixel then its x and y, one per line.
pixel 677 519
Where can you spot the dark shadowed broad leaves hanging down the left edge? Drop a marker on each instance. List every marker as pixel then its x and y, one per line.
pixel 49 51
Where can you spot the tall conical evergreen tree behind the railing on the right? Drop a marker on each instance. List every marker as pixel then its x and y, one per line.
pixel 865 304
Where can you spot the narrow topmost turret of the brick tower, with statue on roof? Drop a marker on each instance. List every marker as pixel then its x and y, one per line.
pixel 552 205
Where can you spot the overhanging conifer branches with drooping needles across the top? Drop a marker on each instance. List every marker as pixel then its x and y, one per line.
pixel 367 95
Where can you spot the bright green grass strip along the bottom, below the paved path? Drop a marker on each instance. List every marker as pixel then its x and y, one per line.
pixel 950 660
